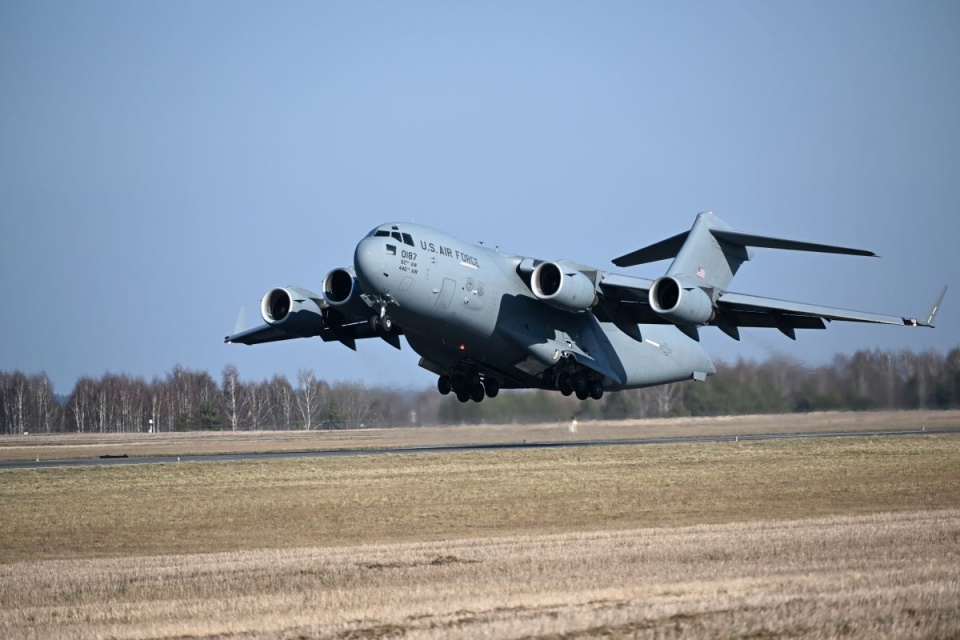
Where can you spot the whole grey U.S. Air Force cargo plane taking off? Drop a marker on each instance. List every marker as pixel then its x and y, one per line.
pixel 483 320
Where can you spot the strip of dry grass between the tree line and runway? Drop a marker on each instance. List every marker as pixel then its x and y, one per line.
pixel 91 445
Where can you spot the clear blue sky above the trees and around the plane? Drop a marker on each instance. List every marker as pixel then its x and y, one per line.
pixel 162 164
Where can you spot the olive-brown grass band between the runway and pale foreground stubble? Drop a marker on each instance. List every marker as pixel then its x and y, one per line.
pixel 194 508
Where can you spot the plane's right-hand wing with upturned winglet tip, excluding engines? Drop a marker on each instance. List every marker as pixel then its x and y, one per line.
pixel 626 299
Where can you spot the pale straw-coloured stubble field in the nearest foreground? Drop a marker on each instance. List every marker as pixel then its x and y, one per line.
pixel 889 575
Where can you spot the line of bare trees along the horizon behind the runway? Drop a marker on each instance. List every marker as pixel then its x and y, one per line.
pixel 185 399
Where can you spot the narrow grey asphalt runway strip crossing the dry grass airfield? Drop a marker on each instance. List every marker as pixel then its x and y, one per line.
pixel 333 453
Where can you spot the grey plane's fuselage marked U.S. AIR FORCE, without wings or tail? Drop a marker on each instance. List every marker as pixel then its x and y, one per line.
pixel 460 303
